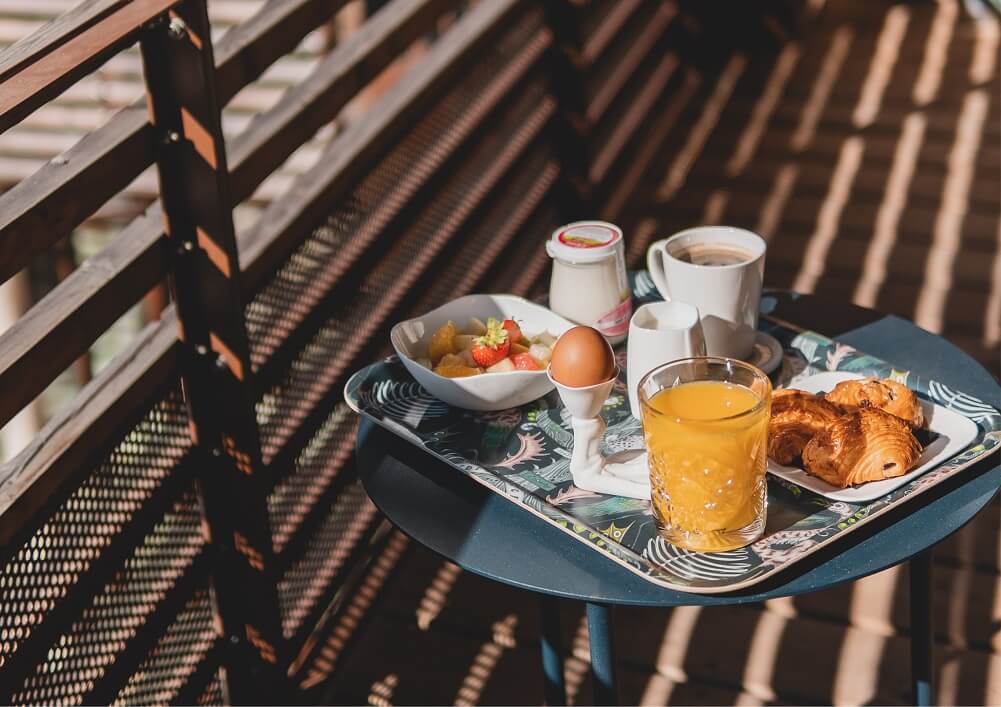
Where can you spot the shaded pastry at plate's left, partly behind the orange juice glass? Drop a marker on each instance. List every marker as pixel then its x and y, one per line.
pixel 796 417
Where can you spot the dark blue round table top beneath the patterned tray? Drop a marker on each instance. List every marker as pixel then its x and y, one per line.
pixel 486 534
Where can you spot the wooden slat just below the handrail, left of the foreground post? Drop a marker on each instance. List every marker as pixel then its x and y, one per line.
pixel 49 205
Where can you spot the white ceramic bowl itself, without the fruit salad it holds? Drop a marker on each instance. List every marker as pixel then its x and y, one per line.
pixel 487 391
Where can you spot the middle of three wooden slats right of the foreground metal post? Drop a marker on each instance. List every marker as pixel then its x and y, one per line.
pixel 275 136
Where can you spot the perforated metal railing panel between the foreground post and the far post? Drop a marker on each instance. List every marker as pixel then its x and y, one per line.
pixel 449 200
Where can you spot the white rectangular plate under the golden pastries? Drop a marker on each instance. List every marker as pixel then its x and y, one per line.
pixel 954 431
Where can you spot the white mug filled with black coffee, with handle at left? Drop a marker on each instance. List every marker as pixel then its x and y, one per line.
pixel 727 296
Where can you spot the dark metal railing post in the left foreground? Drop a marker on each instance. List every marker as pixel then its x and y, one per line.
pixel 195 190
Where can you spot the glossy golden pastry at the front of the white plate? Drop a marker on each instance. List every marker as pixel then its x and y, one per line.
pixel 867 445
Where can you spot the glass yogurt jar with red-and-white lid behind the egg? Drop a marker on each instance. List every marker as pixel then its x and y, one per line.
pixel 589 284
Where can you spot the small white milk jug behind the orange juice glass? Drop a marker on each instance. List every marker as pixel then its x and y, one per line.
pixel 660 333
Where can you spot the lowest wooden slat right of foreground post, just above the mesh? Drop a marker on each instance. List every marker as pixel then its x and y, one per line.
pixel 287 222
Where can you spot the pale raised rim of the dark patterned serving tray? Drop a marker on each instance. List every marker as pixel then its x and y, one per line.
pixel 512 492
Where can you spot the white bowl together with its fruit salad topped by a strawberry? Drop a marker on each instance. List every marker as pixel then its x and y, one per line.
pixel 482 352
